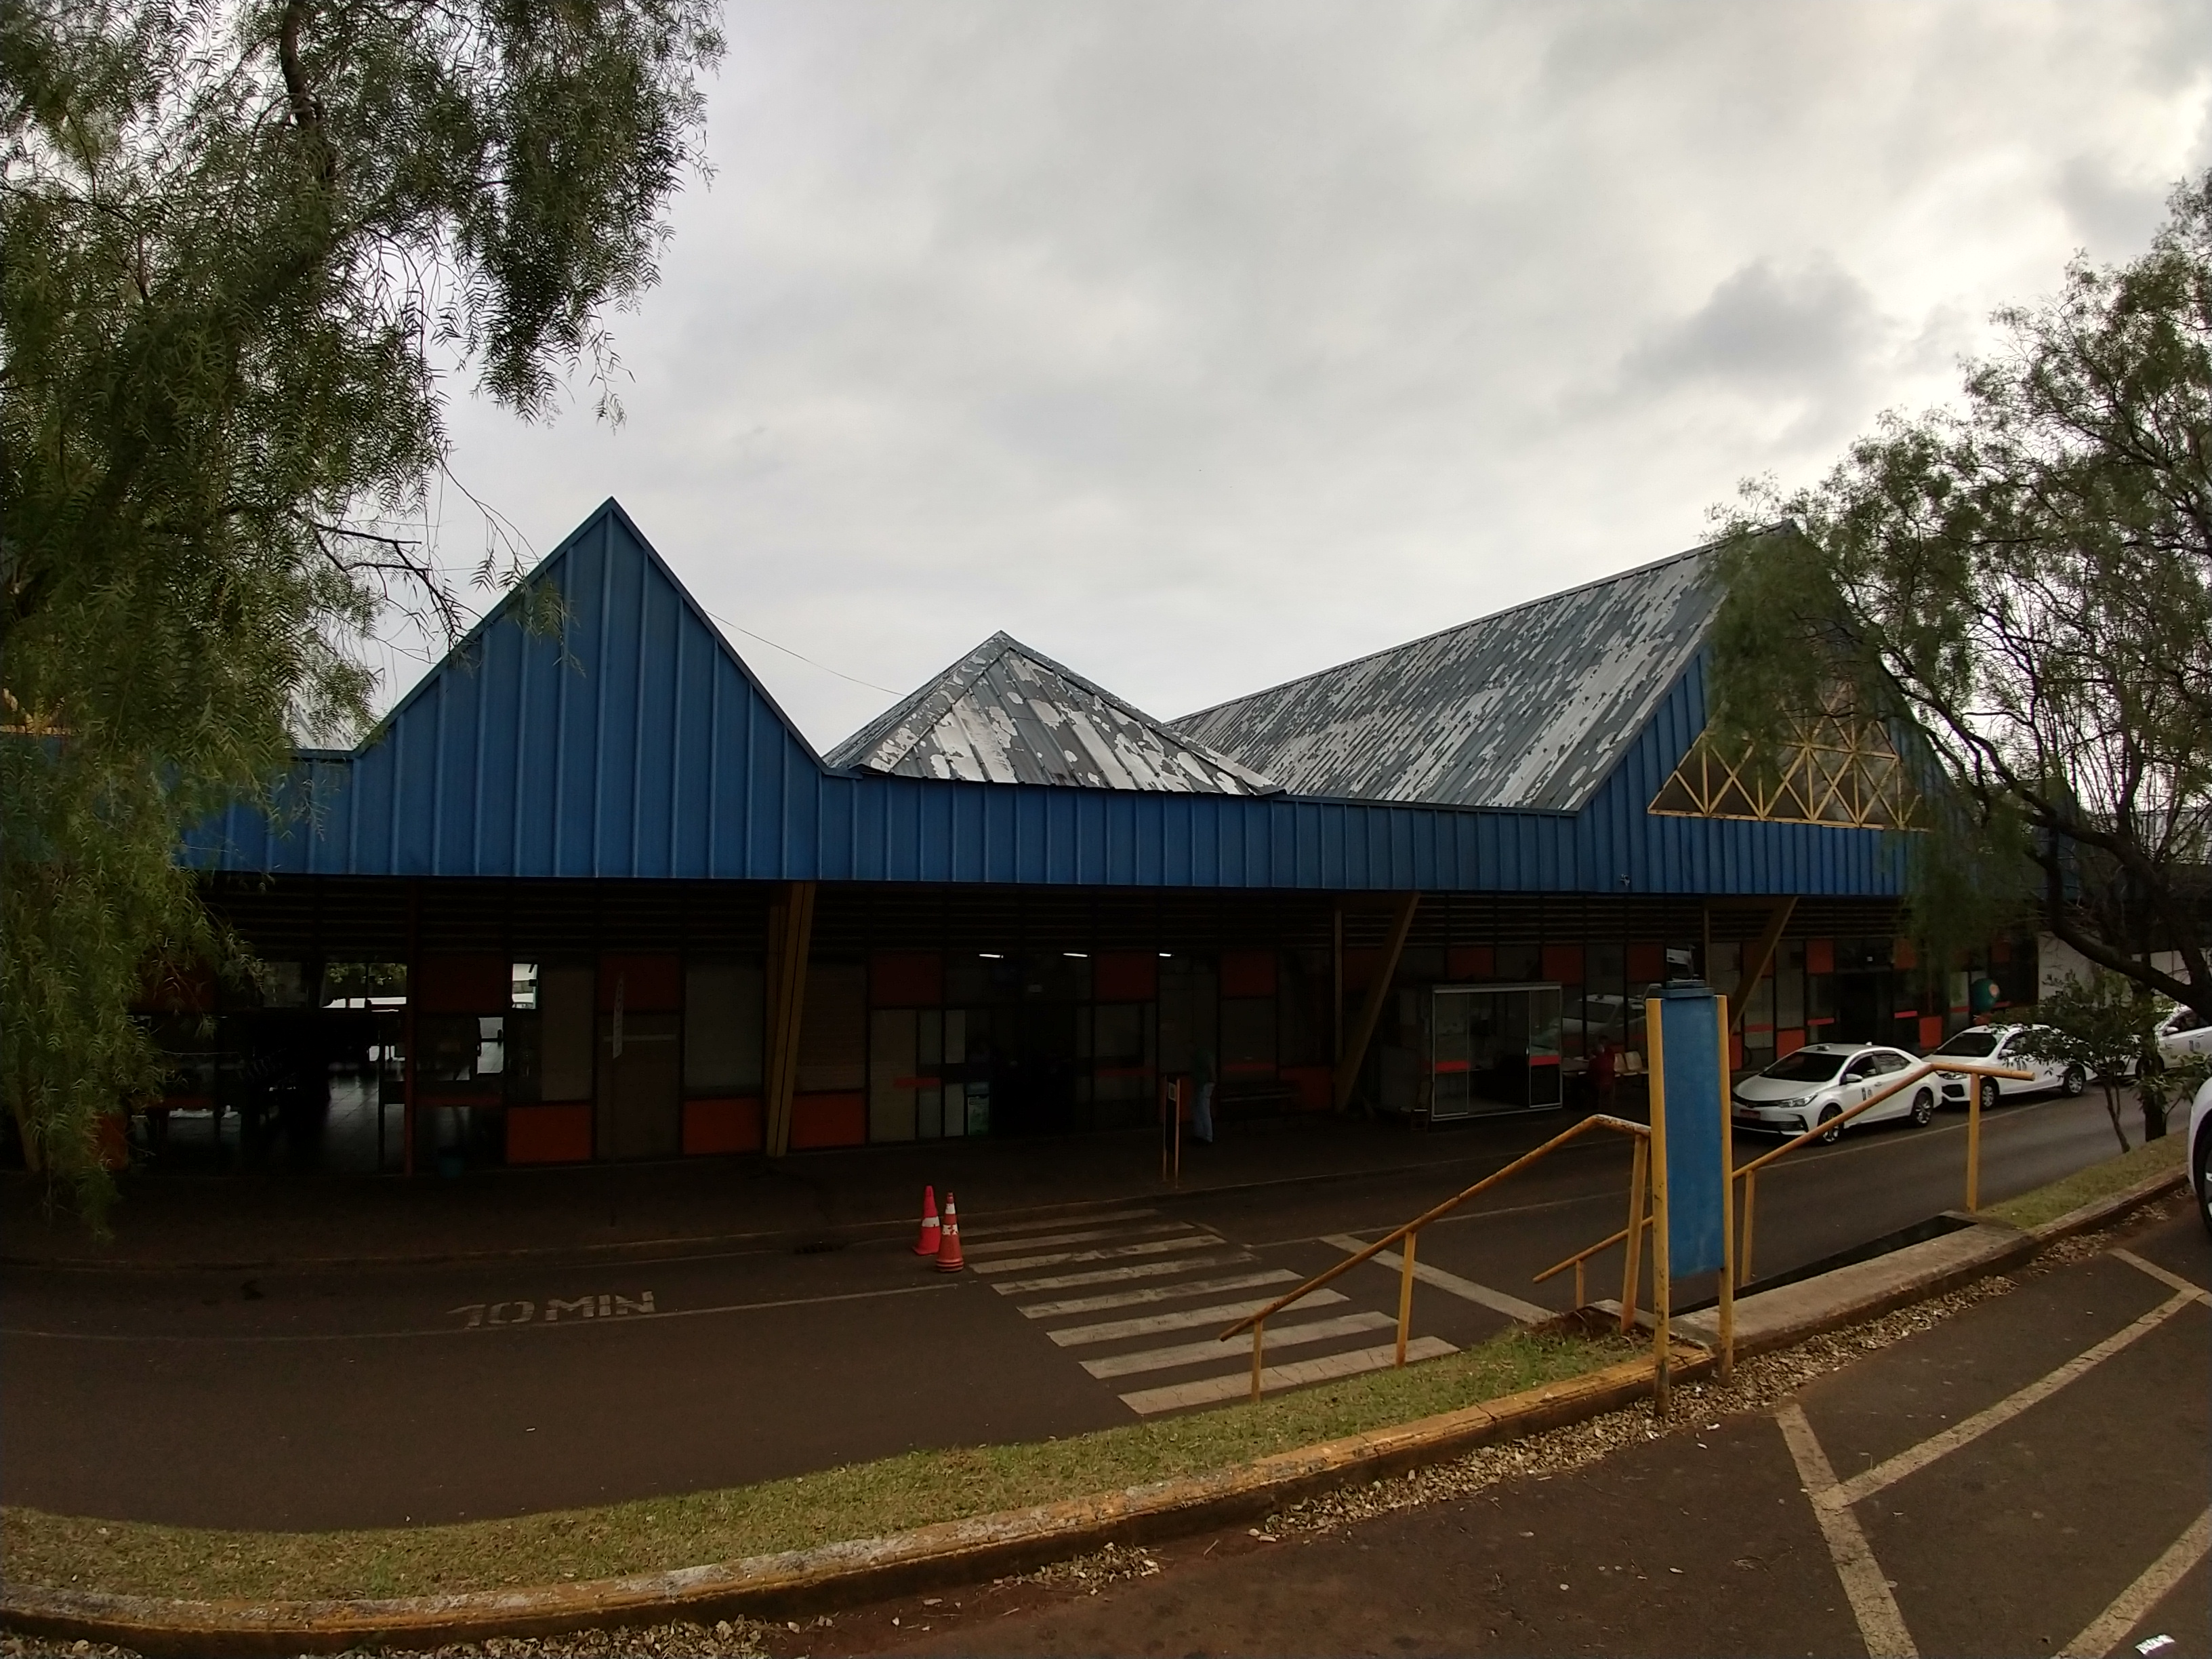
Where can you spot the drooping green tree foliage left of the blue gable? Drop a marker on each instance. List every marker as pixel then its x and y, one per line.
pixel 242 253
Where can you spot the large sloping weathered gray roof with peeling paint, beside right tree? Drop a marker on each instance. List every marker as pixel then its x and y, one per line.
pixel 1525 709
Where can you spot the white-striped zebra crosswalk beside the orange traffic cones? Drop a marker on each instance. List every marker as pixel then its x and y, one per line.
pixel 1149 1286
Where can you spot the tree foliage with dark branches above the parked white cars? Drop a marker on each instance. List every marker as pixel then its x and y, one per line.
pixel 2025 585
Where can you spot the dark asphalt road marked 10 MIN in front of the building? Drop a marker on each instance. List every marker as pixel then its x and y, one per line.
pixel 386 1397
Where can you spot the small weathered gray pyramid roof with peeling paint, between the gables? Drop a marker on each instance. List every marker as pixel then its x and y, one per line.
pixel 1010 716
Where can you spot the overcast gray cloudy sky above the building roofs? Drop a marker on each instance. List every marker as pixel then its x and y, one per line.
pixel 1202 344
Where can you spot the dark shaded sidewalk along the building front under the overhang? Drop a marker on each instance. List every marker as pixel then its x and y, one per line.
pixel 253 1222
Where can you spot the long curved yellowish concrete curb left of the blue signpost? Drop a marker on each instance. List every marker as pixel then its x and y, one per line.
pixel 833 1576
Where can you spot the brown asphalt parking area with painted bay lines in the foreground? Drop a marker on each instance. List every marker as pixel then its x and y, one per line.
pixel 2025 1479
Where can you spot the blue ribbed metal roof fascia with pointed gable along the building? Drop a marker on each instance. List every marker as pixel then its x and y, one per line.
pixel 638 744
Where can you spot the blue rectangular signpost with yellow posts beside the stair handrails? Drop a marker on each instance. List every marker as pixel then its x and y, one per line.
pixel 1693 1165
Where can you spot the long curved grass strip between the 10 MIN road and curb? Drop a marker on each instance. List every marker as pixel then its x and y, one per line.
pixel 859 1501
